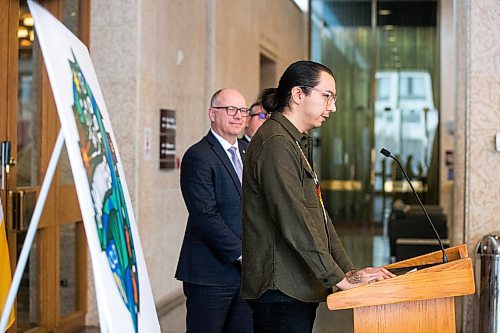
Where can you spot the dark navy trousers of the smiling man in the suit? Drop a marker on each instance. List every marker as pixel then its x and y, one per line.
pixel 216 309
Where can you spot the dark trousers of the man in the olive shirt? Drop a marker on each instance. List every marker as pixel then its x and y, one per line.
pixel 289 317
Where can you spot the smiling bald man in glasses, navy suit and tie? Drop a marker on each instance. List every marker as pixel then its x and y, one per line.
pixel 210 259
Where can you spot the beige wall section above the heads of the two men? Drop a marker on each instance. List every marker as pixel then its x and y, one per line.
pixel 247 28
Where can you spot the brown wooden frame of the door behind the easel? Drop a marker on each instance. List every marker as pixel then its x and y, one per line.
pixel 61 206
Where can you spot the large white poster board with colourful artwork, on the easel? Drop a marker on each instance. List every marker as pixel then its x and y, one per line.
pixel 123 290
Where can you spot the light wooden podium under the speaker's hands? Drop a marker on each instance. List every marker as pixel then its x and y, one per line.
pixel 419 301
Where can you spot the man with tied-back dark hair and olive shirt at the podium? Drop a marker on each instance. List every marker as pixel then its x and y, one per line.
pixel 293 257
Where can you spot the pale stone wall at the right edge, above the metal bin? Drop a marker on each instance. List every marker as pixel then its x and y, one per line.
pixel 482 119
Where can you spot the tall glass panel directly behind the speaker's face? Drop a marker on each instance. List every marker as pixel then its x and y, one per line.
pixel 342 38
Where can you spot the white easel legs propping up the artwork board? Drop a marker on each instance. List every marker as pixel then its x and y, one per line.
pixel 30 236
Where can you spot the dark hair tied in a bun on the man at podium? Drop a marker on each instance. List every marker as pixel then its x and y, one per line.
pixel 303 73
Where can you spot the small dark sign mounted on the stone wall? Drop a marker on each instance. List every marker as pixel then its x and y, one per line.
pixel 167 139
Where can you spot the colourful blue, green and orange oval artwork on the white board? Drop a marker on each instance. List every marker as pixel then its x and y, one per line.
pixel 110 209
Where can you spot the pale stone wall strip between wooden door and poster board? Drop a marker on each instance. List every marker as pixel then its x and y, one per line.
pixel 114 36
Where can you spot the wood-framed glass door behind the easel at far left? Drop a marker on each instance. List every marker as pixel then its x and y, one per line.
pixel 53 287
